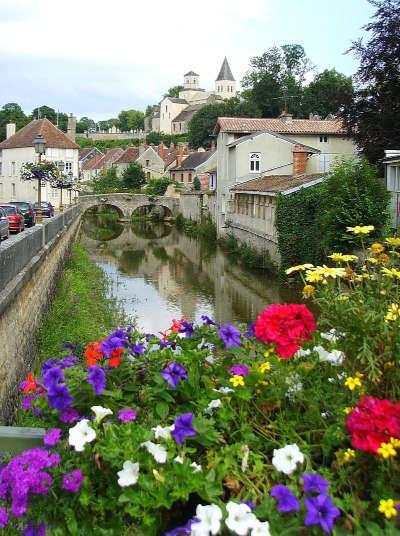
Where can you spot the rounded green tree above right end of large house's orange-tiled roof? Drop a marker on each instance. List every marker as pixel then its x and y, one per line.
pixel 327 94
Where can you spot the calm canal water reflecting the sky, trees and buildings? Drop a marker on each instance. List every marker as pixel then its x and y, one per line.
pixel 159 274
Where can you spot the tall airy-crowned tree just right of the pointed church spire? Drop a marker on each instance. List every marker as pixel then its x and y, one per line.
pixel 276 79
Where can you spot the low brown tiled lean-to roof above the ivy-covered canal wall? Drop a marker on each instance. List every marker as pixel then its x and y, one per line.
pixel 277 183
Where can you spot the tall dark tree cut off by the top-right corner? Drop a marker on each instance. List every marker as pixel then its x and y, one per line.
pixel 373 116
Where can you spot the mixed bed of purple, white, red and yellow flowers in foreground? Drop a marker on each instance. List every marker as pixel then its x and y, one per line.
pixel 279 428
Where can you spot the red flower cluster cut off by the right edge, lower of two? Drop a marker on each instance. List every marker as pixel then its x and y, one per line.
pixel 372 422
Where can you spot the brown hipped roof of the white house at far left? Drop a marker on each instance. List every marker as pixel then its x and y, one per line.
pixel 54 137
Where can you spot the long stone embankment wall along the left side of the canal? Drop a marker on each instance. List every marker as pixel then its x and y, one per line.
pixel 30 267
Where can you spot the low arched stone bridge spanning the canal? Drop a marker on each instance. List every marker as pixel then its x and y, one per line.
pixel 127 203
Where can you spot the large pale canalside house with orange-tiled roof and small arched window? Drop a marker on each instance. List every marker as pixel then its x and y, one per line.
pixel 253 148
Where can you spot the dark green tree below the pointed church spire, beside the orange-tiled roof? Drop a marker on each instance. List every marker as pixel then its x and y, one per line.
pixel 202 124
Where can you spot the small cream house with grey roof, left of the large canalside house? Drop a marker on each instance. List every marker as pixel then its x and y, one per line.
pixel 194 165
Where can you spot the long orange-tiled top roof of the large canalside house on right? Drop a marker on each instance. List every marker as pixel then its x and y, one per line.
pixel 282 126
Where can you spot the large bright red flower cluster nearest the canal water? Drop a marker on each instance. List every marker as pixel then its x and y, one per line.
pixel 287 325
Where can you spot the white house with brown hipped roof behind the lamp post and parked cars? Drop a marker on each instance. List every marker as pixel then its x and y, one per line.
pixel 18 149
